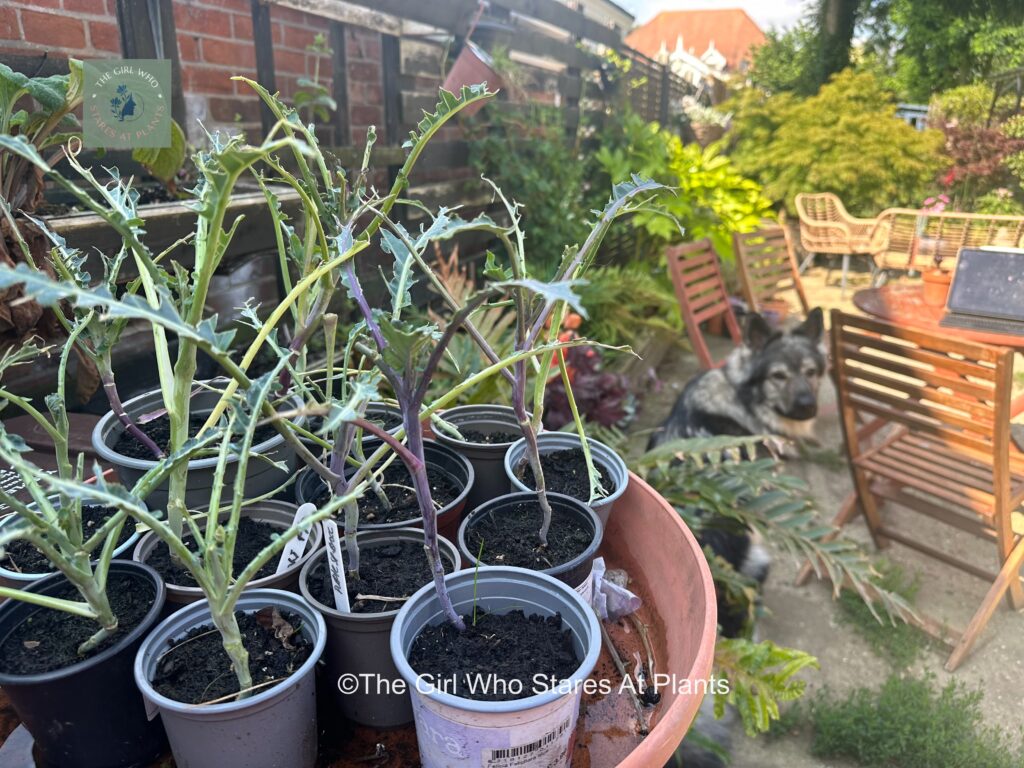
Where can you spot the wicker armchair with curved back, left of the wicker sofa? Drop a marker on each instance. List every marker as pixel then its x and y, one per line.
pixel 827 228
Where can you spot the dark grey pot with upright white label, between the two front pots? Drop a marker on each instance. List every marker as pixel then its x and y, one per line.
pixel 359 644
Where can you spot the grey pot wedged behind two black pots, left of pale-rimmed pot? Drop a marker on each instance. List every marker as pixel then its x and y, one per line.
pixel 487 458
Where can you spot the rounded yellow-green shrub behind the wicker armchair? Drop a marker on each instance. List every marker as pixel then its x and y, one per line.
pixel 847 140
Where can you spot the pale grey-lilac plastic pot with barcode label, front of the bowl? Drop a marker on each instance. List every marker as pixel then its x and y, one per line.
pixel 456 733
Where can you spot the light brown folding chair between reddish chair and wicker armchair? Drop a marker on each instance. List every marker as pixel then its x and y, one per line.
pixel 767 267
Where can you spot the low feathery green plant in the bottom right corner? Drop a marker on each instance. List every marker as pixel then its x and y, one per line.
pixel 911 724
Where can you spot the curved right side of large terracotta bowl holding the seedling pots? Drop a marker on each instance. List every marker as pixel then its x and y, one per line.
pixel 648 538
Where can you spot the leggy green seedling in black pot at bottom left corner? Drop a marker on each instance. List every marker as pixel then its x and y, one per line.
pixel 70 638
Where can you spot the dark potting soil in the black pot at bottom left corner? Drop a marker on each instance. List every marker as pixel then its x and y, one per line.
pixel 50 639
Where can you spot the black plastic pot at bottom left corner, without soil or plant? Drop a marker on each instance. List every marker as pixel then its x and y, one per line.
pixel 90 715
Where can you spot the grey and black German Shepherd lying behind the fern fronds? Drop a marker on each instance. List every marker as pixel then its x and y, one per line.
pixel 769 386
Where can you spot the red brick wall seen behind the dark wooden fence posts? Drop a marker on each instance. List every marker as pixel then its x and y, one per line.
pixel 215 44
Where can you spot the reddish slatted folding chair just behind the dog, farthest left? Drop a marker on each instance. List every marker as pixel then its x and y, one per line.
pixel 701 291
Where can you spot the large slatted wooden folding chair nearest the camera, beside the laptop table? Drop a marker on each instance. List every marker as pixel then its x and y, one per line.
pixel 945 452
